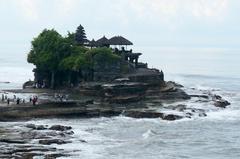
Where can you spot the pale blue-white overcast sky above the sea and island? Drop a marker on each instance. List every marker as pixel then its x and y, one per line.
pixel 164 23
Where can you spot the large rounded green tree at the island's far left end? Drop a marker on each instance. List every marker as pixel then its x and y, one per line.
pixel 48 49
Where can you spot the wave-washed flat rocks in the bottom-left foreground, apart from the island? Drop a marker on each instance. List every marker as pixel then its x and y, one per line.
pixel 29 141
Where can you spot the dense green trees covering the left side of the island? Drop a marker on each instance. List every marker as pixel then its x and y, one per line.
pixel 64 61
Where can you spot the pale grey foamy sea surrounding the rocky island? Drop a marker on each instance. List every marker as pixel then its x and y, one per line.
pixel 216 136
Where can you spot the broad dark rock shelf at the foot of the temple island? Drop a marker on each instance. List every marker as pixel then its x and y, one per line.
pixel 130 99
